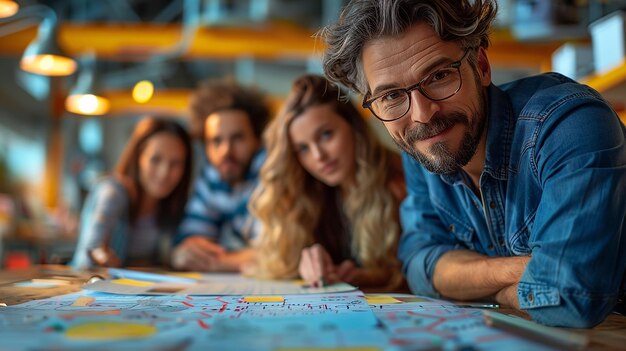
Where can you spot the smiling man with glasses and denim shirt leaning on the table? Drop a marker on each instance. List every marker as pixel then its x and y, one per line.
pixel 516 193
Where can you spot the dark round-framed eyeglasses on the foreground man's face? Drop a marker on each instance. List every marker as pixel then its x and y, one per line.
pixel 439 85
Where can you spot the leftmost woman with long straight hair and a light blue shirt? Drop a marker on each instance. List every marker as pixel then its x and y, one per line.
pixel 130 217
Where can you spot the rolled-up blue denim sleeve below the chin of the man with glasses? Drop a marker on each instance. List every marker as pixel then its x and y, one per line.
pixel 424 238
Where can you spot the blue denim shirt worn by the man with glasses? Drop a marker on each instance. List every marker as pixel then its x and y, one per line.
pixel 553 186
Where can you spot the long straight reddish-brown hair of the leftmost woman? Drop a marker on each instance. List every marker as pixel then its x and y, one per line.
pixel 170 209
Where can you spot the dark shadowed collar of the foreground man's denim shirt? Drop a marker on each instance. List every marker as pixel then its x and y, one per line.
pixel 500 129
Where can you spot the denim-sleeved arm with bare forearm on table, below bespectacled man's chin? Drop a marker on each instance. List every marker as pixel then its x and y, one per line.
pixel 436 263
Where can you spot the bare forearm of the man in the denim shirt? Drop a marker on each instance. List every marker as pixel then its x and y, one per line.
pixel 467 275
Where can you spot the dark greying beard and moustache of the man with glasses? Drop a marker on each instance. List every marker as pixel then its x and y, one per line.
pixel 441 160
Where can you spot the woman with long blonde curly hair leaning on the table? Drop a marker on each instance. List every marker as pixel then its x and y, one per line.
pixel 329 193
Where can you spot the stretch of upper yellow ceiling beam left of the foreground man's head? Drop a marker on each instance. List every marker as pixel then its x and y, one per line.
pixel 136 41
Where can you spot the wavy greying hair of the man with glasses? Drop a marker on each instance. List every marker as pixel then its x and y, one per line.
pixel 464 21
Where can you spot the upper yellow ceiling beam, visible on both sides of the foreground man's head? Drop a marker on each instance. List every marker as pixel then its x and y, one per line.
pixel 137 41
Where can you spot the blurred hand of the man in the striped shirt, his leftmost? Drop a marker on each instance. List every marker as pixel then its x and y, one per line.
pixel 198 253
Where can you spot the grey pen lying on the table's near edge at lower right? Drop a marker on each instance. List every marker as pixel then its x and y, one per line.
pixel 533 331
